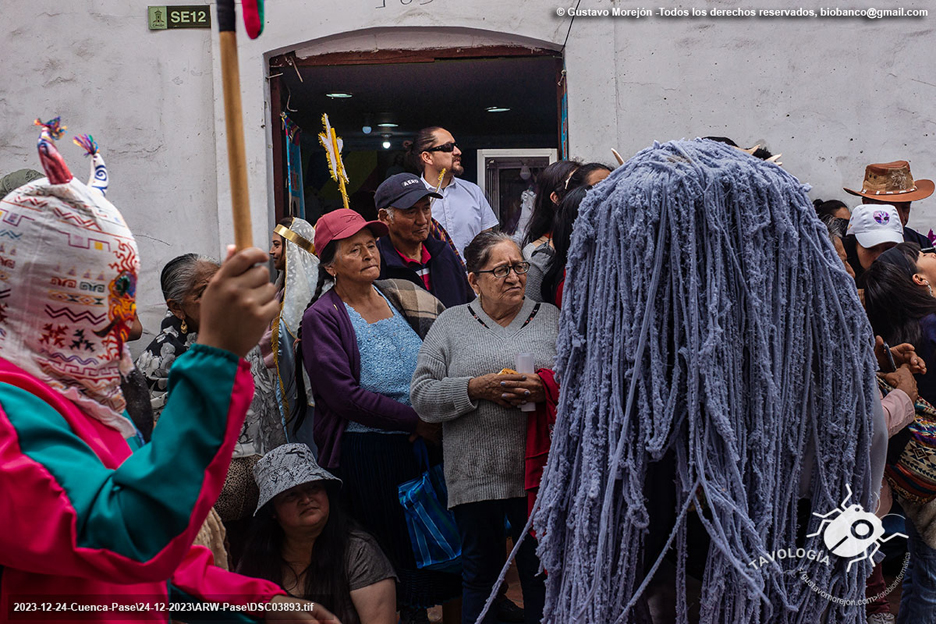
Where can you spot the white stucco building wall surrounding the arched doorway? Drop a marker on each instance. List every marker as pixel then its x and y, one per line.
pixel 831 94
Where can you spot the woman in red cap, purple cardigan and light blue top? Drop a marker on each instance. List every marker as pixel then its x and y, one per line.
pixel 359 342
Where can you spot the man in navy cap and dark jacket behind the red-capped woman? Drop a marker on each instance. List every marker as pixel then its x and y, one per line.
pixel 409 252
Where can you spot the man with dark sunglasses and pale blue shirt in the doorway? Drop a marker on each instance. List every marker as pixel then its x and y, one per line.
pixel 463 211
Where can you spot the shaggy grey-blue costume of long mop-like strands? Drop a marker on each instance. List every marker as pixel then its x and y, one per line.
pixel 707 323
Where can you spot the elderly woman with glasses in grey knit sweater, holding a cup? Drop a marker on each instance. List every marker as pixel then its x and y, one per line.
pixel 458 383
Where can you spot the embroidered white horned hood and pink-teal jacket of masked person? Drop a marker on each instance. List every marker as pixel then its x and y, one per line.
pixel 88 516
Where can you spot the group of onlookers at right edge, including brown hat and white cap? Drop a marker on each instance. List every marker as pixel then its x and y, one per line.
pixel 894 266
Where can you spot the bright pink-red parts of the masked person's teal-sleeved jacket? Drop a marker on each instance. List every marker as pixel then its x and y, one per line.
pixel 39 539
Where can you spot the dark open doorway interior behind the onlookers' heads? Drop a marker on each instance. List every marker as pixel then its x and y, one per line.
pixel 503 98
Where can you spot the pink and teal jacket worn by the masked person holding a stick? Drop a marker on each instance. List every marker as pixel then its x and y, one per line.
pixel 88 517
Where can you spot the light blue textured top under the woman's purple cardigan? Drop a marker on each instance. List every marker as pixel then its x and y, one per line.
pixel 388 358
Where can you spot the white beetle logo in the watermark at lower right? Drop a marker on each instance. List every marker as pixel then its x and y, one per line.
pixel 851 530
